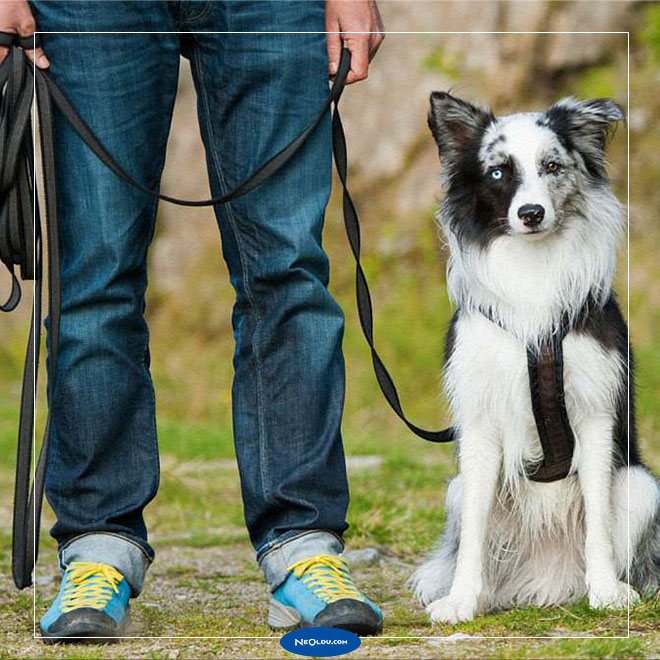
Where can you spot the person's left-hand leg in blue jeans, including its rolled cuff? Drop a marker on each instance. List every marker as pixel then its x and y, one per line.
pixel 103 459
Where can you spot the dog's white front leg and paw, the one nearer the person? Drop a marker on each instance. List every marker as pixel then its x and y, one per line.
pixel 479 464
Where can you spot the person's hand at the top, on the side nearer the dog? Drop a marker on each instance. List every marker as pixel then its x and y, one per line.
pixel 355 24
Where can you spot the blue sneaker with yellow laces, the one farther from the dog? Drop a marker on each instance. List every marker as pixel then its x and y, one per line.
pixel 92 604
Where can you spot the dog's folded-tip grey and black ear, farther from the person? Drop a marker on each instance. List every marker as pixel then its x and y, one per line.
pixel 586 126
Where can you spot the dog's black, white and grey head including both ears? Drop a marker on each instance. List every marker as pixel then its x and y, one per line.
pixel 524 176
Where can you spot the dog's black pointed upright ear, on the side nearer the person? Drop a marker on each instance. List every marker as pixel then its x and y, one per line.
pixel 455 123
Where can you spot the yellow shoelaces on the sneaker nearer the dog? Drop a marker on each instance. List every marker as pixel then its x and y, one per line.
pixel 327 576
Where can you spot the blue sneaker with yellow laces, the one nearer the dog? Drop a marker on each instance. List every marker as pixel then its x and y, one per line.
pixel 320 591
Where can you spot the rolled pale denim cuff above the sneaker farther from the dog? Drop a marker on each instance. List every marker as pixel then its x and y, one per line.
pixel 127 556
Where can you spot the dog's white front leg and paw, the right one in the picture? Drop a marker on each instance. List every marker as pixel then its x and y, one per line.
pixel 595 475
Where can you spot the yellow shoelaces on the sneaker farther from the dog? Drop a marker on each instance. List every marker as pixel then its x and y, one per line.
pixel 90 585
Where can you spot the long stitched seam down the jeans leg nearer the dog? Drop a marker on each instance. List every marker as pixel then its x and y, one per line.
pixel 232 221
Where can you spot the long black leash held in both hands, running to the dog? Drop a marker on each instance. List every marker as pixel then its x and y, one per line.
pixel 21 247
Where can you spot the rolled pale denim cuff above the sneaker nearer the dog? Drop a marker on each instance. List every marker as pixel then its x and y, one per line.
pixel 275 561
